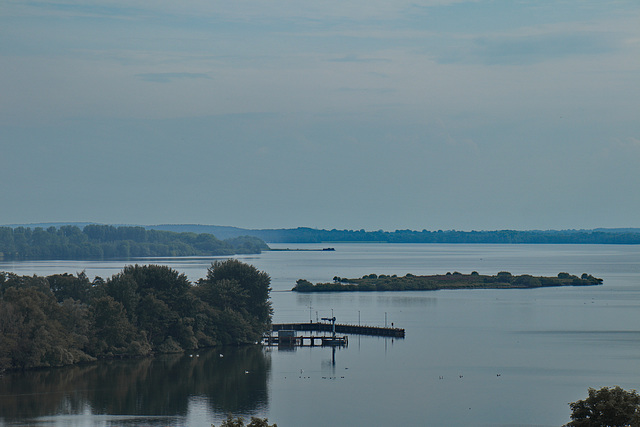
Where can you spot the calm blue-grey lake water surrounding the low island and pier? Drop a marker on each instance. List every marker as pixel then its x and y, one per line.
pixel 470 357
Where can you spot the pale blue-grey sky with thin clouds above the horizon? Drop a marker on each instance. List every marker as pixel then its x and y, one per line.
pixel 359 114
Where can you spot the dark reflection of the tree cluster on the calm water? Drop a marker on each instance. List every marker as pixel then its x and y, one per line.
pixel 160 386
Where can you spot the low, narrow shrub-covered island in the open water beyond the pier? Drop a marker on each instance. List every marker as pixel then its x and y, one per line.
pixel 455 280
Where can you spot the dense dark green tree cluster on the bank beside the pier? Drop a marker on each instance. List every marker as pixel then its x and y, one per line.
pixel 64 319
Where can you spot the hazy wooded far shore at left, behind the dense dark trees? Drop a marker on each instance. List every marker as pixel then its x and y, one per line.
pixel 106 241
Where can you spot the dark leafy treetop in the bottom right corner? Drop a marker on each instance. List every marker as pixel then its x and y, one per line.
pixel 607 407
